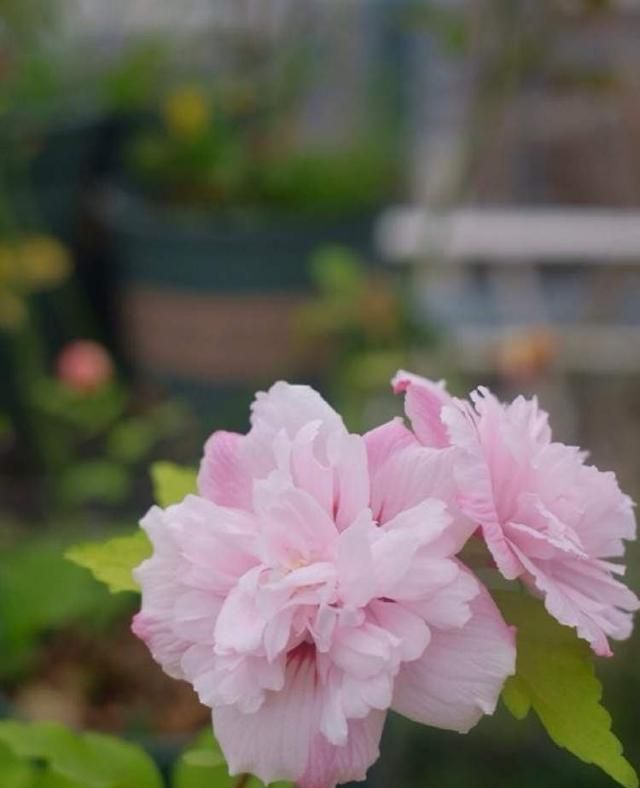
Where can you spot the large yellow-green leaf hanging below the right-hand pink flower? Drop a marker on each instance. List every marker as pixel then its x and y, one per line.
pixel 555 677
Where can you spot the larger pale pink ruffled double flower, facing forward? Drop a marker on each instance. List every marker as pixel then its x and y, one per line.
pixel 311 586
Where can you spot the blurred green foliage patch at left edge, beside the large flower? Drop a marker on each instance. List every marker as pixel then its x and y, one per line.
pixel 39 592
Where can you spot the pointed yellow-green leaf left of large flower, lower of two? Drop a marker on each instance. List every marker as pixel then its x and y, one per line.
pixel 112 562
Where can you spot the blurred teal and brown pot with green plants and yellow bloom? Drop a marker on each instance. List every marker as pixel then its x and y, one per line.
pixel 212 228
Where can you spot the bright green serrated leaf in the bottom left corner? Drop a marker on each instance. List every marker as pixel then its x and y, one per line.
pixel 89 760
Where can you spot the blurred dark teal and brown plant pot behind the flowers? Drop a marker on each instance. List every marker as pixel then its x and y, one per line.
pixel 212 304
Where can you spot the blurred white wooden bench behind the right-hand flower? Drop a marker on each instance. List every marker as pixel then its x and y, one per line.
pixel 484 273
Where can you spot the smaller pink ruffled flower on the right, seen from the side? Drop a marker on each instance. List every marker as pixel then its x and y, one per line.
pixel 546 517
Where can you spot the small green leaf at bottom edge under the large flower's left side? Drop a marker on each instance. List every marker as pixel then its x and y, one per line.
pixel 203 766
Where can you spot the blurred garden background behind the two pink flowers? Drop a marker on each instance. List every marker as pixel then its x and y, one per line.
pixel 199 198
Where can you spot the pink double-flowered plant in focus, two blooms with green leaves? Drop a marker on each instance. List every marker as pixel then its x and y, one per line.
pixel 307 580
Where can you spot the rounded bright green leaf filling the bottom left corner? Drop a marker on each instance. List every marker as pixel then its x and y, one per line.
pixel 36 755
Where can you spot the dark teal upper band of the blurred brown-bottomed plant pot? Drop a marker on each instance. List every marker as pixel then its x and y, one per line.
pixel 188 250
